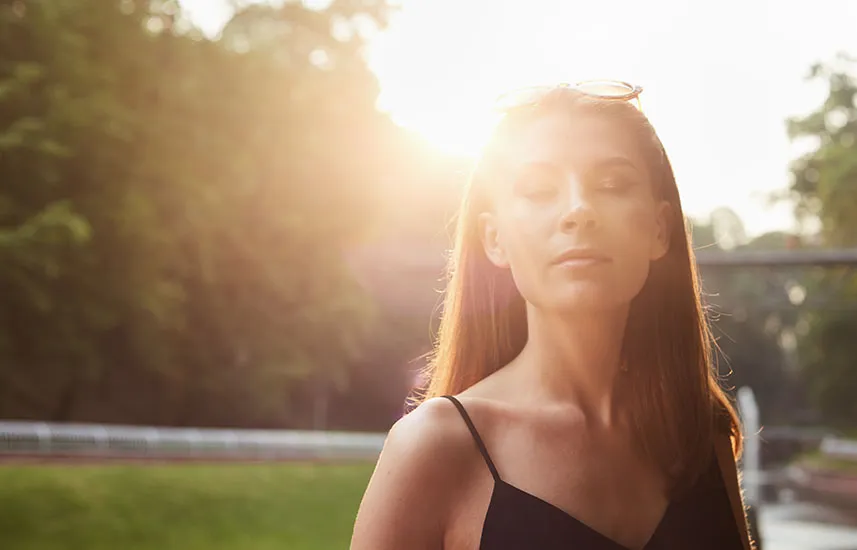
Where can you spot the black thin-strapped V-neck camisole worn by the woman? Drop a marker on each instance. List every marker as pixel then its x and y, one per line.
pixel 517 520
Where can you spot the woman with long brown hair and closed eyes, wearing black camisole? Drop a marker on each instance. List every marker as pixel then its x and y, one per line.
pixel 572 402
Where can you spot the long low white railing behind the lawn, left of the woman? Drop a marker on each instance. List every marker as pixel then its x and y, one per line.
pixel 96 440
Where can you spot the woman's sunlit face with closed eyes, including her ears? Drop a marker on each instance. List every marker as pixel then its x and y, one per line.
pixel 575 215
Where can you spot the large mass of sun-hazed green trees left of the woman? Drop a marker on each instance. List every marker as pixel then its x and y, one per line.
pixel 175 211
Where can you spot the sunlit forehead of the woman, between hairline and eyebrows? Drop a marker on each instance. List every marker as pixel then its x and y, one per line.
pixel 573 142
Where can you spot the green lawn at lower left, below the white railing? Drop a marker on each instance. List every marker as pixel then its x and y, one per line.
pixel 180 506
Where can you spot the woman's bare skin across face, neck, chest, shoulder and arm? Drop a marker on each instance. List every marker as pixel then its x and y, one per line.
pixel 551 419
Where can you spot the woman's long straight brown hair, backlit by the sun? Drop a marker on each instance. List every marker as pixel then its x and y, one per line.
pixel 675 395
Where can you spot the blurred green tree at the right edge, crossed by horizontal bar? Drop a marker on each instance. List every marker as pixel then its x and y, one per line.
pixel 824 188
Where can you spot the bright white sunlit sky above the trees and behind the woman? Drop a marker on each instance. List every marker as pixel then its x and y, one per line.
pixel 719 78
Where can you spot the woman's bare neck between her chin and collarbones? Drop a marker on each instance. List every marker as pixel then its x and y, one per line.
pixel 576 358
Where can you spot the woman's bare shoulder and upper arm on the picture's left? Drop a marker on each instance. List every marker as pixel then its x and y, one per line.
pixel 426 457
